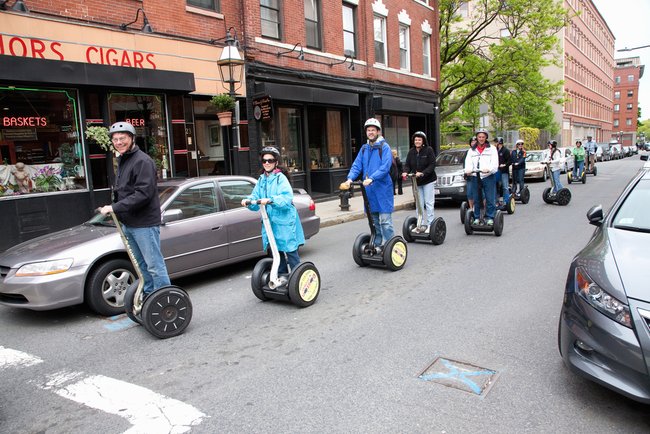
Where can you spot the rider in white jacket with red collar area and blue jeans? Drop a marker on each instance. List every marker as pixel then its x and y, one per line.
pixel 485 159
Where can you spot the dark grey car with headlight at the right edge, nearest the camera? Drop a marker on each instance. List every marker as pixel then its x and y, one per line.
pixel 604 329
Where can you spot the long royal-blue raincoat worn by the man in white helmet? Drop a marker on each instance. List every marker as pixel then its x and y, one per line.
pixel 370 165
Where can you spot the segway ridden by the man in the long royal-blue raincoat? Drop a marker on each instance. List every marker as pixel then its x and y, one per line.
pixel 392 255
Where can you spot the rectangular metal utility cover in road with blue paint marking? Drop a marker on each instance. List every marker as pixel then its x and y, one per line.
pixel 460 375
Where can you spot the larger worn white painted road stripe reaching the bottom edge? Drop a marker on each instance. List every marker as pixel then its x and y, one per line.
pixel 147 411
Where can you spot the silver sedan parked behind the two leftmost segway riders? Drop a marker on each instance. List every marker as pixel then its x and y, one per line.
pixel 204 226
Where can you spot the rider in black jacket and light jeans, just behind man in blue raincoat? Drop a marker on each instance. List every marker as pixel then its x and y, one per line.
pixel 421 160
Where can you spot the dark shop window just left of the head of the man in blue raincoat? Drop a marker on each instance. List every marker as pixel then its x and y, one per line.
pixel 326 139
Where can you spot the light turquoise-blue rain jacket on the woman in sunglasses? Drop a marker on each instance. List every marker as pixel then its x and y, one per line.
pixel 285 221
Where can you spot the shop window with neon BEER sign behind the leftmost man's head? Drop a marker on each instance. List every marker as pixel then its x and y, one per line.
pixel 147 115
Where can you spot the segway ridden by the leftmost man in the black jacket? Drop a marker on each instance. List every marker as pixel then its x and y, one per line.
pixel 164 313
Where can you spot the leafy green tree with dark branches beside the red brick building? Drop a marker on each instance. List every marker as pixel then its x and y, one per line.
pixel 474 61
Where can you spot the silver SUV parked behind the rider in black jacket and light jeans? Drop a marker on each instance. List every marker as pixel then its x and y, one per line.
pixel 451 184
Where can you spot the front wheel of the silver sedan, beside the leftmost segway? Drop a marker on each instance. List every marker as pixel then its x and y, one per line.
pixel 107 285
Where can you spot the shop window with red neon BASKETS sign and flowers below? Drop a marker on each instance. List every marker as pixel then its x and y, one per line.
pixel 39 142
